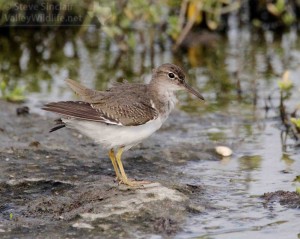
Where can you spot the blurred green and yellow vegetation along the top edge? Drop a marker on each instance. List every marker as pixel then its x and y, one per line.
pixel 176 17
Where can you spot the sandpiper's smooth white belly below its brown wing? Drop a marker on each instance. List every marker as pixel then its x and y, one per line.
pixel 113 136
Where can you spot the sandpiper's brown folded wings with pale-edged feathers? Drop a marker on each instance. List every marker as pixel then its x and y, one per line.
pixel 123 104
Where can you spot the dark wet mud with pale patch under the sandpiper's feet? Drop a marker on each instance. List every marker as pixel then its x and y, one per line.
pixel 62 185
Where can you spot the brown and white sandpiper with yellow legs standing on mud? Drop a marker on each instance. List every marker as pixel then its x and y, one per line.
pixel 125 114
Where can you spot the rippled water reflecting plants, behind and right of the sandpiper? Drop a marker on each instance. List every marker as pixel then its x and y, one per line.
pixel 237 73
